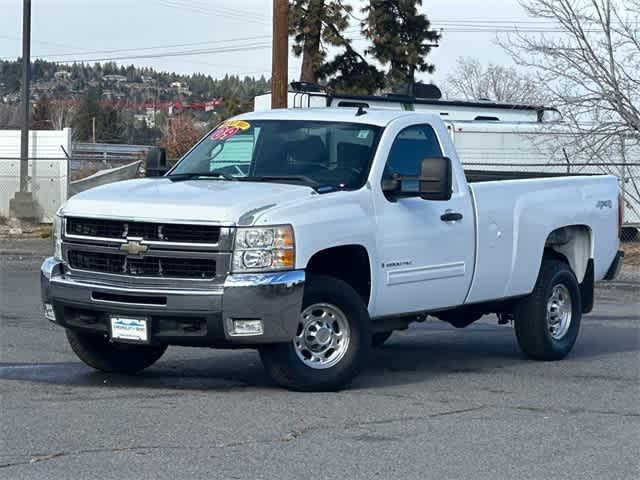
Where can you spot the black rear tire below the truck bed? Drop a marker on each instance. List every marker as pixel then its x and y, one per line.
pixel 530 315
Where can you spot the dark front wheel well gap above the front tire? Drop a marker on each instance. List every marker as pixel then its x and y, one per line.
pixel 349 263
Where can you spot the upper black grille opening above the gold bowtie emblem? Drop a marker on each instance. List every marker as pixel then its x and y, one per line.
pixel 163 232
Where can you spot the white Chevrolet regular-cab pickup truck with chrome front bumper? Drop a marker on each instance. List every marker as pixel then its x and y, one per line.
pixel 311 235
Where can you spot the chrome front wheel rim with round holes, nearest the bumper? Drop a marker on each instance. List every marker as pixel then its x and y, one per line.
pixel 322 337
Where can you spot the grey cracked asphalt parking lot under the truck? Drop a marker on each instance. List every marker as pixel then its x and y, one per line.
pixel 435 402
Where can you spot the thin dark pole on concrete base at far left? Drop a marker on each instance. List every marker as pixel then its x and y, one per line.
pixel 22 205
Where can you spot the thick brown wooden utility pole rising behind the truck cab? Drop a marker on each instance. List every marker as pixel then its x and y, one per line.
pixel 280 54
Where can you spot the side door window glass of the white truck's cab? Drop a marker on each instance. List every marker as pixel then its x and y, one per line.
pixel 411 146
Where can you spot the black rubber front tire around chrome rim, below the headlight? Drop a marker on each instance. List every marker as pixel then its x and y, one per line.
pixel 286 368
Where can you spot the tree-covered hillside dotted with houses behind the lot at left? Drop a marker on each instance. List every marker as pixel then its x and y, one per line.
pixel 123 104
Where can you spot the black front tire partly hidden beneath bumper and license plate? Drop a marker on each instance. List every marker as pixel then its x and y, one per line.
pixel 99 353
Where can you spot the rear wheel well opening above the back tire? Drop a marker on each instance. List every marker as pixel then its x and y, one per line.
pixel 573 244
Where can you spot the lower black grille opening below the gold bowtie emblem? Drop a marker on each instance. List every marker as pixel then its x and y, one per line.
pixel 147 266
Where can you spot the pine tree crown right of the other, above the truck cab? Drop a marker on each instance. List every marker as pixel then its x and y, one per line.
pixel 400 37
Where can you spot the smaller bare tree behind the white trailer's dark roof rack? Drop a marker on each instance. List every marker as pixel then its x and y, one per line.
pixel 471 80
